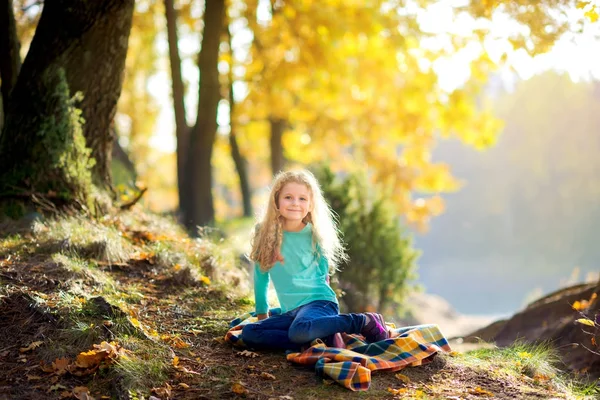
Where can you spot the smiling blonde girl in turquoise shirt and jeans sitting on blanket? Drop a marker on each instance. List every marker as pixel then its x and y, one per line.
pixel 296 245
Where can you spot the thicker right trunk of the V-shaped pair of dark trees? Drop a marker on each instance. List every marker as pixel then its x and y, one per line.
pixel 203 135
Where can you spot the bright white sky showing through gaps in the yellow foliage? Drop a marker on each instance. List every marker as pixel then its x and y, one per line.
pixel 576 55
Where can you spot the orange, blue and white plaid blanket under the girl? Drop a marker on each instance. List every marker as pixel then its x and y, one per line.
pixel 351 366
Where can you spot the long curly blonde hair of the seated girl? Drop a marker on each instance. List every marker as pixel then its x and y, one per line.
pixel 268 233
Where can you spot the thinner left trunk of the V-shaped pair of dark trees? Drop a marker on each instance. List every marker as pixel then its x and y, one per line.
pixel 182 130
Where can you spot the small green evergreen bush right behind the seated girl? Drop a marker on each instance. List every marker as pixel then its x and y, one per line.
pixel 382 259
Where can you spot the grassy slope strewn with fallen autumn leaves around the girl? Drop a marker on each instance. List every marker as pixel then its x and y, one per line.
pixel 129 307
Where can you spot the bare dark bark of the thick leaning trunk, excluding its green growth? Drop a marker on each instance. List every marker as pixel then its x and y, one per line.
pixel 88 40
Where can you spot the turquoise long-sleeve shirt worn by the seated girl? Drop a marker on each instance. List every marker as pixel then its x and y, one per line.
pixel 301 279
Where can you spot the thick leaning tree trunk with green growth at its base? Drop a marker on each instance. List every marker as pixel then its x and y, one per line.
pixel 84 52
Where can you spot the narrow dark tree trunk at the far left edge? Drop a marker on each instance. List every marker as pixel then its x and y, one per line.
pixel 10 59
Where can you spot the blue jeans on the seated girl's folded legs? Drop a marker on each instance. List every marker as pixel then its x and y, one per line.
pixel 288 331
